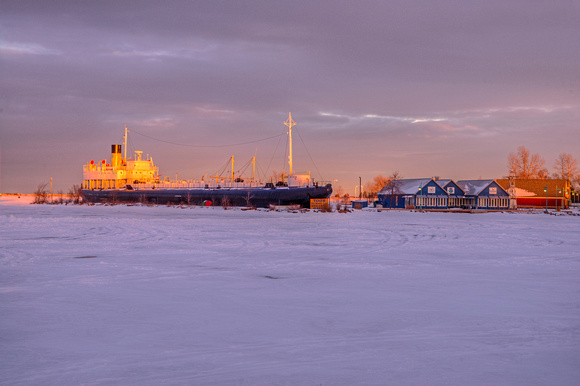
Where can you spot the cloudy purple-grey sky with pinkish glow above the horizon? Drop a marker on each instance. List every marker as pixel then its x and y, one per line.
pixel 425 88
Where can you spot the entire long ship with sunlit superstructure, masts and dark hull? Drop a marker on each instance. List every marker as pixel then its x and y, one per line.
pixel 137 180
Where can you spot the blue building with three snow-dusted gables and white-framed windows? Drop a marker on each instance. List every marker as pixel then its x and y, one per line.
pixel 434 193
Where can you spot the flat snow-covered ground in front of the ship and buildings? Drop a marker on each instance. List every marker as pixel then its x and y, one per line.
pixel 207 296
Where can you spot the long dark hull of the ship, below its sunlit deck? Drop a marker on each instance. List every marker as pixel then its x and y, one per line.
pixel 256 197
